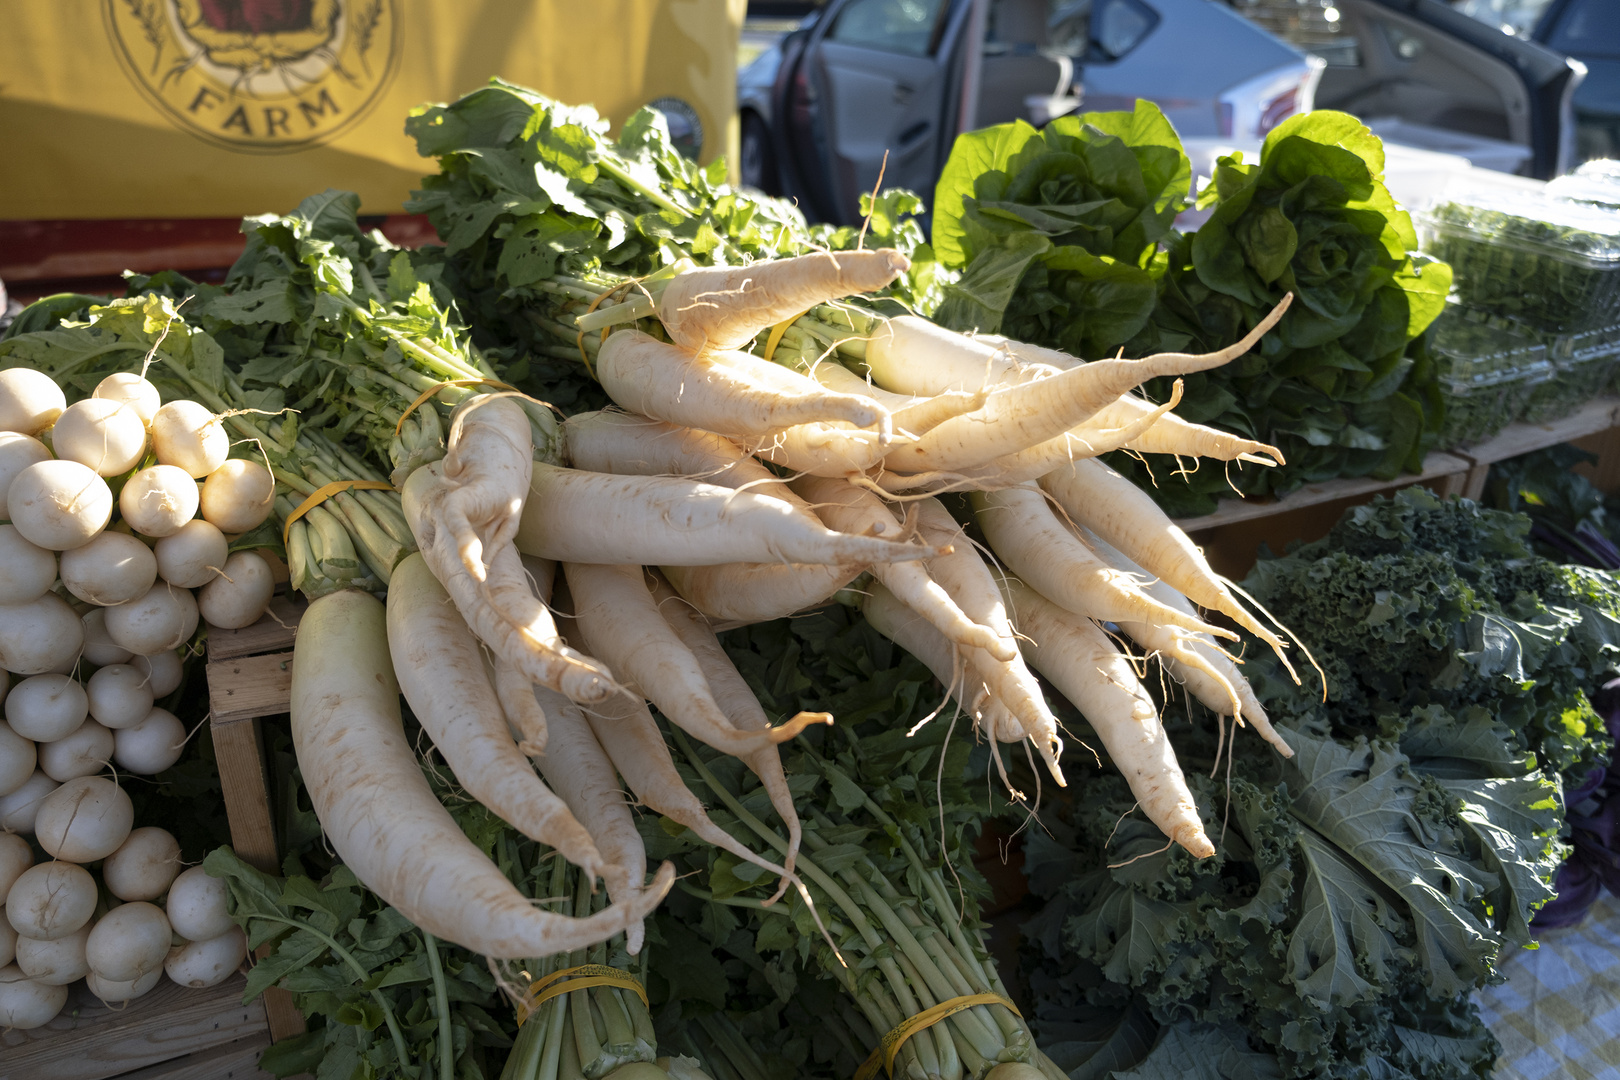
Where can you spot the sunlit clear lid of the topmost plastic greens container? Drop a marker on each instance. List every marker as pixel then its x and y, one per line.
pixel 1567 231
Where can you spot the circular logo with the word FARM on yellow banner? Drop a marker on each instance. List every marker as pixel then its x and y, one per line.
pixel 263 77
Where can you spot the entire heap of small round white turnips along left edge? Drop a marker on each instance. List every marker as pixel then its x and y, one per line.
pixel 96 603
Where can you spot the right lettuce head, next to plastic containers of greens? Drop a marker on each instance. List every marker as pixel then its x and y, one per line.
pixel 1344 385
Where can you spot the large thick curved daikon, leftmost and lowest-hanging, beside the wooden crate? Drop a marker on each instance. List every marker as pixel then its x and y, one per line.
pixel 383 819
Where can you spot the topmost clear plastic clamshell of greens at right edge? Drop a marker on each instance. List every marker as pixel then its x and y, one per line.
pixel 1543 261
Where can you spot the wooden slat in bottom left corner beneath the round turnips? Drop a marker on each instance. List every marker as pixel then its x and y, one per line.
pixel 93 1042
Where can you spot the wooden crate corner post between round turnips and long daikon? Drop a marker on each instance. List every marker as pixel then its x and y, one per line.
pixel 250 678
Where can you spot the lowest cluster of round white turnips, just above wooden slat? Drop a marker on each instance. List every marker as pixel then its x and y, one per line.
pixel 147 917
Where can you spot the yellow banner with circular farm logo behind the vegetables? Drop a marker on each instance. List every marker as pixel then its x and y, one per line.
pixel 228 108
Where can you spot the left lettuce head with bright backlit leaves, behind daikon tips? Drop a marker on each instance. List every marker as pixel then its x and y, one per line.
pixel 1057 231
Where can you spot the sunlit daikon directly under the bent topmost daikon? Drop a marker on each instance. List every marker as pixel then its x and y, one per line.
pixel 731 394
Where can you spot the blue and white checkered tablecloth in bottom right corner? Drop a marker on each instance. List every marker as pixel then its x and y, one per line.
pixel 1559 1013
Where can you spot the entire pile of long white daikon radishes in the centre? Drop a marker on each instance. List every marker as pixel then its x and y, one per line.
pixel 668 525
